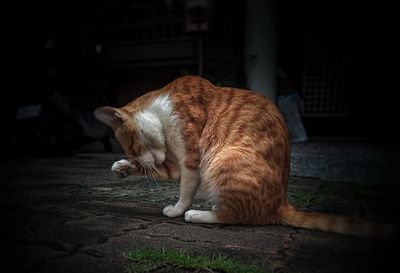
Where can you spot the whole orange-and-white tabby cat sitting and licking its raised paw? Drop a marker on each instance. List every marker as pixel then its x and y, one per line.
pixel 231 143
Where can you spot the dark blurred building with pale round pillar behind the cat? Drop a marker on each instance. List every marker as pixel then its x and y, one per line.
pixel 83 54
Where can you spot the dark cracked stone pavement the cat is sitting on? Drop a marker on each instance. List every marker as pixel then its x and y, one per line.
pixel 69 214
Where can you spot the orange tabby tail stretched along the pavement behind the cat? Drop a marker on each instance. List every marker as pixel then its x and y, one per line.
pixel 333 223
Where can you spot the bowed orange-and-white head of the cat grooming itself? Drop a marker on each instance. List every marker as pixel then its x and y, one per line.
pixel 140 136
